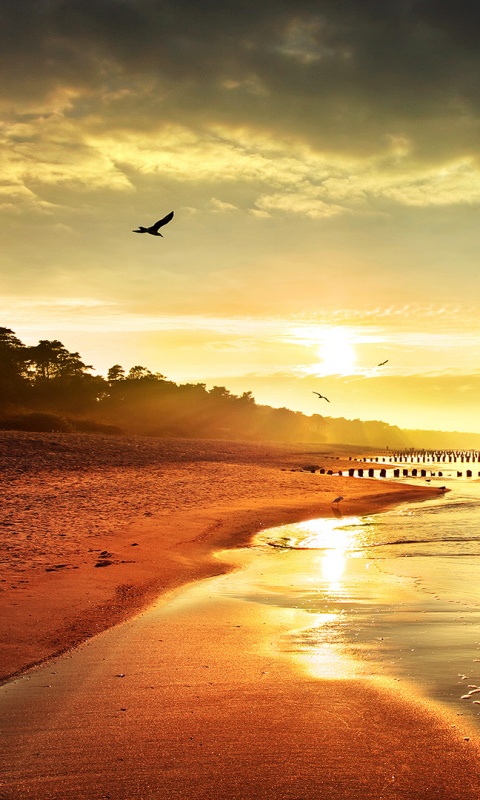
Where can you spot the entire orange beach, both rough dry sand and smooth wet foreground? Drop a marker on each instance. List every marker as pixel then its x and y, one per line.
pixel 94 529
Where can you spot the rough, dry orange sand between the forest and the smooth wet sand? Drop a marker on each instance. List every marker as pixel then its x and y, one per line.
pixel 95 527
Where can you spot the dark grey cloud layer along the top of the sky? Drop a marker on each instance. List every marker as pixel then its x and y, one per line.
pixel 340 73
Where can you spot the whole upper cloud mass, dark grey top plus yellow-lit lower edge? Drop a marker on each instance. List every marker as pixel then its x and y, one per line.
pixel 326 108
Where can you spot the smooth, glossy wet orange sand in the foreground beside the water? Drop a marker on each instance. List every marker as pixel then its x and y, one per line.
pixel 193 700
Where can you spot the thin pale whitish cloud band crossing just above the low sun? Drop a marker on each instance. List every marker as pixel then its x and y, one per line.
pixel 429 325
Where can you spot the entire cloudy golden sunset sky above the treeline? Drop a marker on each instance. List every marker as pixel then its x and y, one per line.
pixel 322 161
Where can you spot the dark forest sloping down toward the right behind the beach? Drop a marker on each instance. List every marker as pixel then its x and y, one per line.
pixel 47 388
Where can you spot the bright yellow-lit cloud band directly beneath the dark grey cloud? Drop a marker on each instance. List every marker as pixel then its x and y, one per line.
pixel 284 175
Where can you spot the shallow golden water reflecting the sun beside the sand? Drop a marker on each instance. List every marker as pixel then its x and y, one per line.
pixel 394 595
